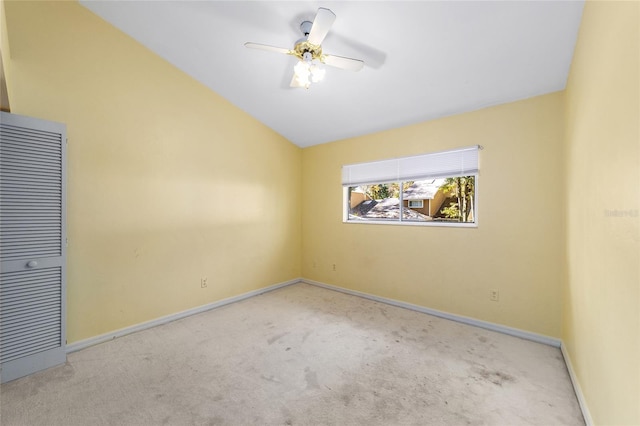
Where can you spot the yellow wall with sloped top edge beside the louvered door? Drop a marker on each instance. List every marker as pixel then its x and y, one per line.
pixel 167 181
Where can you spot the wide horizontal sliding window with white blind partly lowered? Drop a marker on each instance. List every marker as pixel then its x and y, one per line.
pixel 429 189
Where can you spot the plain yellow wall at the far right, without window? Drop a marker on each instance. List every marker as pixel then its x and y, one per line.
pixel 602 299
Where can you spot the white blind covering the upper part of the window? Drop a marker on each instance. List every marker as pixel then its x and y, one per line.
pixel 458 162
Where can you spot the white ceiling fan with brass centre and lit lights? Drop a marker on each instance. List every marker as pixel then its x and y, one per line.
pixel 309 51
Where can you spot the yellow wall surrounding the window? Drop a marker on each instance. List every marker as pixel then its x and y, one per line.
pixel 517 249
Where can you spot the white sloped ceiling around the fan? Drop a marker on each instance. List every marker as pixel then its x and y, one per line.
pixel 423 59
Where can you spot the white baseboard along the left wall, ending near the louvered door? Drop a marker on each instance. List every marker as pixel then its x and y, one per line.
pixel 81 344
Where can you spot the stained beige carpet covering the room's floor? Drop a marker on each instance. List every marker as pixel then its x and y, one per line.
pixel 302 355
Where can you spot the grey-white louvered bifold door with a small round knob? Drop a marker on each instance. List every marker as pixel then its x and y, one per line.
pixel 32 245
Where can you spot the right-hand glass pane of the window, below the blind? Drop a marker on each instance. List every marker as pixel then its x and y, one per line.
pixel 443 200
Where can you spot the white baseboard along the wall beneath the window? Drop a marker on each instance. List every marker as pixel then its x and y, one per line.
pixel 551 341
